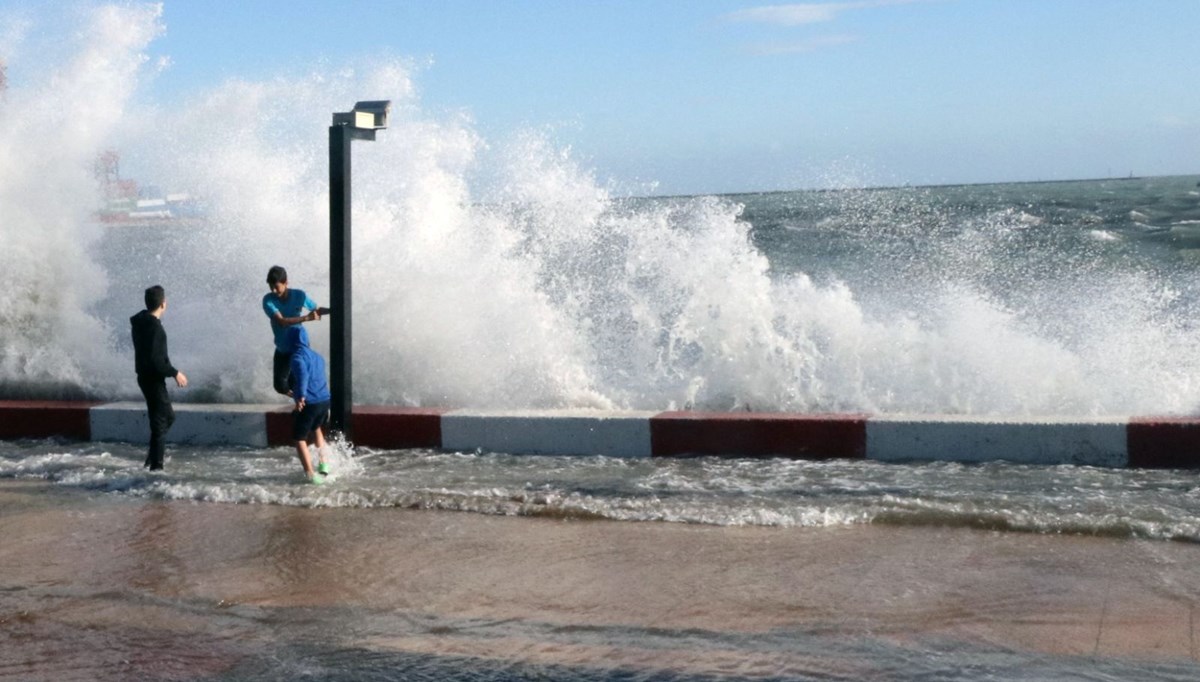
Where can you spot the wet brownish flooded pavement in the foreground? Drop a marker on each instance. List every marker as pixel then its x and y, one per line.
pixel 97 587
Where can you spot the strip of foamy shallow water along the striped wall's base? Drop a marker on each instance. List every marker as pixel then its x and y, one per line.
pixel 1153 505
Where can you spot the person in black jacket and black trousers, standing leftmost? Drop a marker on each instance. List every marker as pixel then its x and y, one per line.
pixel 154 367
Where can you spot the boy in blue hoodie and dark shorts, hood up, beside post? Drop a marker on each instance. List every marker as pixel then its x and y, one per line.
pixel 310 391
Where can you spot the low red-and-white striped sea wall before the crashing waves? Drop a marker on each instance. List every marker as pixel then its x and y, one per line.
pixel 1144 442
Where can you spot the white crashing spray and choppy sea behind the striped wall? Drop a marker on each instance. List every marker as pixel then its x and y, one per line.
pixel 503 274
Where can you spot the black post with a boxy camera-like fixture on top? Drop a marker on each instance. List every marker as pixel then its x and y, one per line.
pixel 359 123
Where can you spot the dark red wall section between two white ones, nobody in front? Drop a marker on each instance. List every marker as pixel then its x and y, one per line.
pixel 759 435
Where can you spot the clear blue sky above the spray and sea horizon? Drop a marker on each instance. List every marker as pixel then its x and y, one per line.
pixel 699 97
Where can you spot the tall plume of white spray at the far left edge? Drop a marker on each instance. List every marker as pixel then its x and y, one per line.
pixel 50 134
